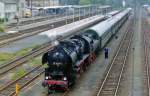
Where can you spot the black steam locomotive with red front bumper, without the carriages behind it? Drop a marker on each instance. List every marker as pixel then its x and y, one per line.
pixel 68 59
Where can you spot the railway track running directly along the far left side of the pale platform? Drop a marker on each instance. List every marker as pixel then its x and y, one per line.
pixel 6 39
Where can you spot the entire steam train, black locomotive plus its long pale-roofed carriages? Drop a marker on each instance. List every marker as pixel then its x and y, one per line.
pixel 72 56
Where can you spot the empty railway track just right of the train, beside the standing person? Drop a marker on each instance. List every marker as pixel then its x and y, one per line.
pixel 112 79
